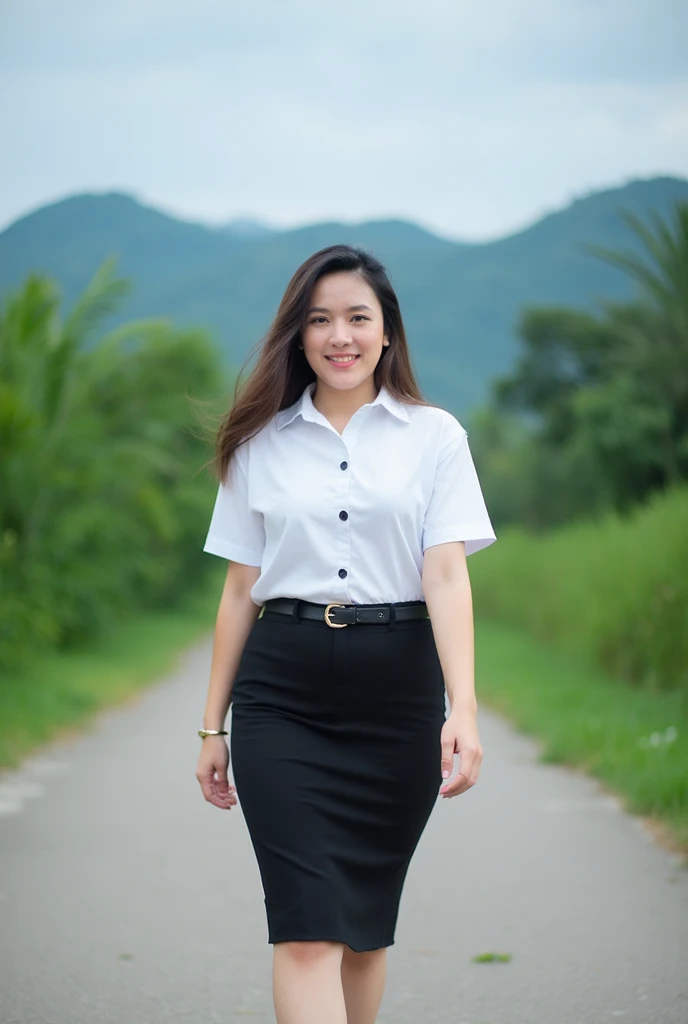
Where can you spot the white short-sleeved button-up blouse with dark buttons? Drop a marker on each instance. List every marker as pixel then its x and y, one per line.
pixel 347 518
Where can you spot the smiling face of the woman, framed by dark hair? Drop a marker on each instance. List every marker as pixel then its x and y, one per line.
pixel 345 334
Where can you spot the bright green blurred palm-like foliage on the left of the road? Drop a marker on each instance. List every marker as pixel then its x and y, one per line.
pixel 101 496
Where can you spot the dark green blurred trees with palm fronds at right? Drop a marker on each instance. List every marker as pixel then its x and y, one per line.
pixel 595 415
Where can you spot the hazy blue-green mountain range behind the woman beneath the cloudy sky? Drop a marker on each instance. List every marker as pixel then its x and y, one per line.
pixel 460 302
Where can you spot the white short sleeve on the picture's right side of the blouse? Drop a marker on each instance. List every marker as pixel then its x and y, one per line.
pixel 457 509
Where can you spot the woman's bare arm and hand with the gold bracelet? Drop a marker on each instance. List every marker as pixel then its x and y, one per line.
pixel 235 621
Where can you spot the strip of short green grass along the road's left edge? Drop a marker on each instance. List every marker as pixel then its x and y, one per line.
pixel 61 692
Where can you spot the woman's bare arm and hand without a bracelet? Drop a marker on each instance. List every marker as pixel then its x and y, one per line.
pixel 447 590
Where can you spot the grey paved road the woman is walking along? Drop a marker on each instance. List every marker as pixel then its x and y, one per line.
pixel 124 898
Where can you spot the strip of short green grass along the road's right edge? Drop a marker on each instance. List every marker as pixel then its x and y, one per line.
pixel 634 741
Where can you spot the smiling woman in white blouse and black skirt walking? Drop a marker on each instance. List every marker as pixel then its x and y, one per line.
pixel 347 507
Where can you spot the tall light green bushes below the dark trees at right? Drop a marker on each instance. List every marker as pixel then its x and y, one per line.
pixel 613 591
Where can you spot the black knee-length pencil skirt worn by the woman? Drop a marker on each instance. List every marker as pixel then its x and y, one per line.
pixel 335 744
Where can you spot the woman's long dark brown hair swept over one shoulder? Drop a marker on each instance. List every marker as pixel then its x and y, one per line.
pixel 282 373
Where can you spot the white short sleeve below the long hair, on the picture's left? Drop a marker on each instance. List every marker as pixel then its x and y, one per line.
pixel 236 533
